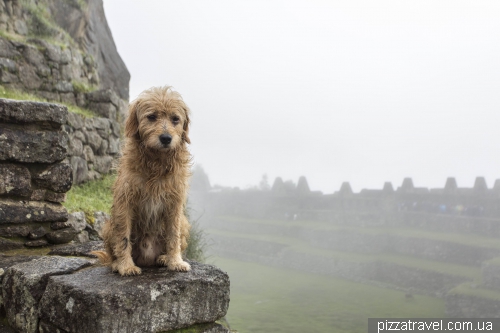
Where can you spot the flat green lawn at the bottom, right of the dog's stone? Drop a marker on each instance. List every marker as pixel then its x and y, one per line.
pixel 269 299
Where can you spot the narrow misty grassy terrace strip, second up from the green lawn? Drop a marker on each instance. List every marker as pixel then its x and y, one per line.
pixel 464 239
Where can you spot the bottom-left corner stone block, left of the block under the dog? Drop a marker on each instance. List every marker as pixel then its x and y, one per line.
pixel 24 284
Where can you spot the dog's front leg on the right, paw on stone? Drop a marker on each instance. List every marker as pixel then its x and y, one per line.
pixel 173 257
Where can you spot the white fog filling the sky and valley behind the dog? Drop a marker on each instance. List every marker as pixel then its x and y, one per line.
pixel 337 91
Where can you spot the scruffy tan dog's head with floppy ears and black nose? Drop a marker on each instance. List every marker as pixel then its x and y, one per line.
pixel 158 118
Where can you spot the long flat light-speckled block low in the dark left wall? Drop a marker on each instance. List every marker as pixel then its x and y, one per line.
pixel 12 211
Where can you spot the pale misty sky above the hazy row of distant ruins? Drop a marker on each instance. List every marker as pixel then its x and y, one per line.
pixel 358 91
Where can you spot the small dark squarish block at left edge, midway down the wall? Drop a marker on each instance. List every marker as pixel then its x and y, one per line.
pixel 15 180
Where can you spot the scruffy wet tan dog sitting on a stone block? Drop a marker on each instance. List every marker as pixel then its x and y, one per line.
pixel 148 226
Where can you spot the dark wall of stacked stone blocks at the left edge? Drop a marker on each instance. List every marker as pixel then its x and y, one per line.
pixel 35 174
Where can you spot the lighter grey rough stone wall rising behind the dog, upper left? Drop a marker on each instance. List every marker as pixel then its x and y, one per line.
pixel 63 61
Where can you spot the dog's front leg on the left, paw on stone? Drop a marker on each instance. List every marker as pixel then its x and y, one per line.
pixel 122 248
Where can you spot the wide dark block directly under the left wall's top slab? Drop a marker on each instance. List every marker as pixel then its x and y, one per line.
pixel 33 146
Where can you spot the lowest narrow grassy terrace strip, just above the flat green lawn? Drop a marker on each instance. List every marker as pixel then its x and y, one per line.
pixel 294 244
